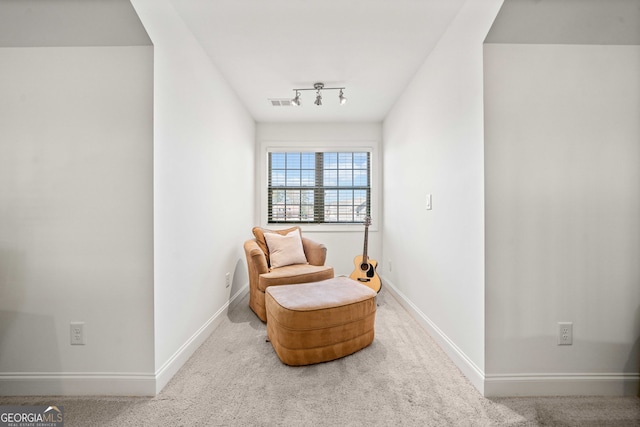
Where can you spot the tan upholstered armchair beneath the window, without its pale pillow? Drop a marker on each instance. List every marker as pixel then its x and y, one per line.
pixel 262 275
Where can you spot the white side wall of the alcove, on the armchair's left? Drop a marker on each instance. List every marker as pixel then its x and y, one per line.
pixel 204 144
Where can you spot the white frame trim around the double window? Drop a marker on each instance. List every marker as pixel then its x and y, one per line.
pixel 319 147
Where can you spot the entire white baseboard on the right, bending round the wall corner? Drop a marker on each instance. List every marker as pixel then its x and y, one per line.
pixel 523 384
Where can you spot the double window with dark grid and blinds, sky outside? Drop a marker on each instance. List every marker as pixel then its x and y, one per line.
pixel 319 187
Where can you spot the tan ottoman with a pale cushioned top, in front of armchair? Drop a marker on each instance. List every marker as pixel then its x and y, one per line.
pixel 320 321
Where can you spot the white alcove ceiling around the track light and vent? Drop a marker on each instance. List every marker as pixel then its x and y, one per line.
pixel 266 48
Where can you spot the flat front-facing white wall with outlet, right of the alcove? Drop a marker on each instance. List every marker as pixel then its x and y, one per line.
pixel 563 217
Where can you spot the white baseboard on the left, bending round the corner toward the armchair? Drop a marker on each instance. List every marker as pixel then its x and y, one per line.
pixel 111 383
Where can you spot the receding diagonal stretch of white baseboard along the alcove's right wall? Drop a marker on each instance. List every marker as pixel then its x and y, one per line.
pixel 473 373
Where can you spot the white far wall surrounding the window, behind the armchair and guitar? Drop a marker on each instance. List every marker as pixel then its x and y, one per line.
pixel 343 242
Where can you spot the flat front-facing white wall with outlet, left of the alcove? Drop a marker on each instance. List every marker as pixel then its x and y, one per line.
pixel 76 214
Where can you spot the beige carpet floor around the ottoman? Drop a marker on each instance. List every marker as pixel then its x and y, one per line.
pixel 403 378
